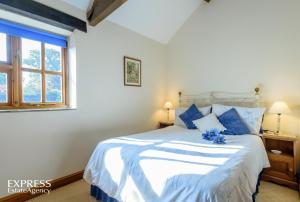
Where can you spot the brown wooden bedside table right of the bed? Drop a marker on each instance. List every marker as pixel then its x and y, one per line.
pixel 285 166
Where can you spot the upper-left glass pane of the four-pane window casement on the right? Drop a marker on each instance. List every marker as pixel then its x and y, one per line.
pixel 31 54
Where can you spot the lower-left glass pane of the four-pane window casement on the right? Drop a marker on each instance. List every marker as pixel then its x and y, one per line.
pixel 32 87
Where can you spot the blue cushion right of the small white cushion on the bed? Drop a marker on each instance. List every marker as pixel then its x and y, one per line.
pixel 233 123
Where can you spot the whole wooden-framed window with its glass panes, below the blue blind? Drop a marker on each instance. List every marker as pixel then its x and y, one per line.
pixel 32 73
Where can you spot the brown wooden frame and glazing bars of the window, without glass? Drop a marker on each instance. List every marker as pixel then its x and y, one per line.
pixel 14 71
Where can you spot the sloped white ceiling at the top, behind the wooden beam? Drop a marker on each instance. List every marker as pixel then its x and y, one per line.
pixel 155 19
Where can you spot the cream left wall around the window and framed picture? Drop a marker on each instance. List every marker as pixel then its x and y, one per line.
pixel 48 145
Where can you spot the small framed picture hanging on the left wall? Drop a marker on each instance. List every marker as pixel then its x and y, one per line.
pixel 132 72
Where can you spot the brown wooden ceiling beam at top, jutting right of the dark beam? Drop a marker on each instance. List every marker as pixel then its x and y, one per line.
pixel 101 9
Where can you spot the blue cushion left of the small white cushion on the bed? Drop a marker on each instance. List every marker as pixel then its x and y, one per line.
pixel 190 115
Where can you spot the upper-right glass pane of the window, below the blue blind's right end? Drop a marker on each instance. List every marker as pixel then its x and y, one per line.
pixel 53 58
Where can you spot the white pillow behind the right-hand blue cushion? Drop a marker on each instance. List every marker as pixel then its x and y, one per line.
pixel 251 116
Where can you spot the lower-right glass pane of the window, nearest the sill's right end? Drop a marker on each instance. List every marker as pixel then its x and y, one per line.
pixel 53 88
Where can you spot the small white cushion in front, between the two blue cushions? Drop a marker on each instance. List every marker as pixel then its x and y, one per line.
pixel 209 122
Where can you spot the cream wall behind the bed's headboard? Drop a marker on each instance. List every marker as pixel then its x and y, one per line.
pixel 234 45
